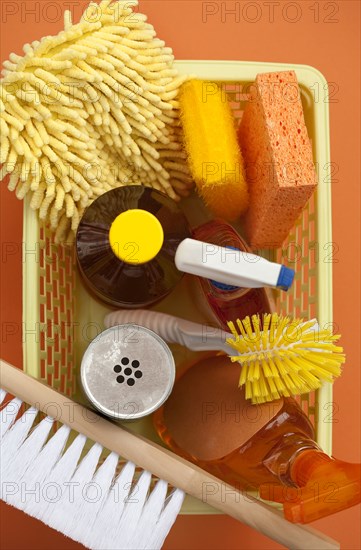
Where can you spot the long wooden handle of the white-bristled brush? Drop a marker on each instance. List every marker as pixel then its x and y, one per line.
pixel 162 463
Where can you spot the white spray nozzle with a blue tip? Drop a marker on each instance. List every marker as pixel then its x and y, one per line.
pixel 231 266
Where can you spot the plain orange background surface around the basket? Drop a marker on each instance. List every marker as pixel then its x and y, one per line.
pixel 327 36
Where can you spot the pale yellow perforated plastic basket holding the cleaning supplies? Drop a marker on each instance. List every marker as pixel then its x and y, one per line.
pixel 60 318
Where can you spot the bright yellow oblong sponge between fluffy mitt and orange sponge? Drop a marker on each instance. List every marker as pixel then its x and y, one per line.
pixel 214 158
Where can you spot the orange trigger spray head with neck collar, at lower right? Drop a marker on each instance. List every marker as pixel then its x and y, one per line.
pixel 315 477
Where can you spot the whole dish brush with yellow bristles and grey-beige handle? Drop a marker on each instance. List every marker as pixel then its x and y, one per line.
pixel 287 357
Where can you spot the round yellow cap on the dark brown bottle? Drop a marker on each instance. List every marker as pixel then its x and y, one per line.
pixel 136 236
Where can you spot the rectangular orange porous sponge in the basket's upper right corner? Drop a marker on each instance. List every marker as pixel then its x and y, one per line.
pixel 278 157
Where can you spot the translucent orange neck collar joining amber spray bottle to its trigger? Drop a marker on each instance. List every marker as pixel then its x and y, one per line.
pixel 287 452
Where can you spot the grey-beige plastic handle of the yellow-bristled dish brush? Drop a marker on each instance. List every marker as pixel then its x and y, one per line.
pixel 173 330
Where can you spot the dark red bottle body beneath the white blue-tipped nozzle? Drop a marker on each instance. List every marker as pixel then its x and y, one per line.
pixel 226 302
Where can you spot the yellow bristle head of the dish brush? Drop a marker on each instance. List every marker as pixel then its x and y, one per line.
pixel 285 357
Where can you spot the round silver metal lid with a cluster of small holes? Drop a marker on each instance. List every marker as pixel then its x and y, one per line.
pixel 127 372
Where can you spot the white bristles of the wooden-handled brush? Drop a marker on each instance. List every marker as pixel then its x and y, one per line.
pixel 80 496
